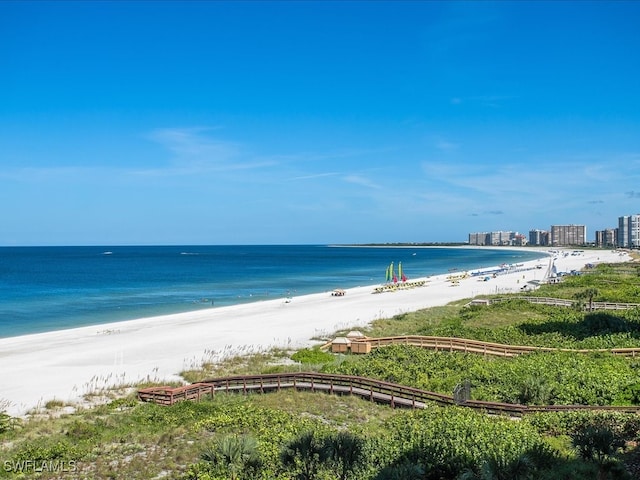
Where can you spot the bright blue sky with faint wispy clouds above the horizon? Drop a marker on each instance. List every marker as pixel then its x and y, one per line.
pixel 314 122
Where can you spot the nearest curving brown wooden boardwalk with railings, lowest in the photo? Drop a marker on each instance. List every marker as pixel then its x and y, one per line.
pixel 394 395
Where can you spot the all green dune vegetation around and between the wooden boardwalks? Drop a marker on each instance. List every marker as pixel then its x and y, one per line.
pixel 295 435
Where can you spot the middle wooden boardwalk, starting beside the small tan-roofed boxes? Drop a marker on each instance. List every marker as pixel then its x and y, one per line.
pixel 453 344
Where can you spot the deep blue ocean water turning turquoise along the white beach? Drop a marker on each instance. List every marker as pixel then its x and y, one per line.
pixel 52 288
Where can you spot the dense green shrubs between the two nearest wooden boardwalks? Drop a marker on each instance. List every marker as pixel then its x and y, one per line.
pixel 561 378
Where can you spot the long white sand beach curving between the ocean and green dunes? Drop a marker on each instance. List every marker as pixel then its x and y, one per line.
pixel 67 364
